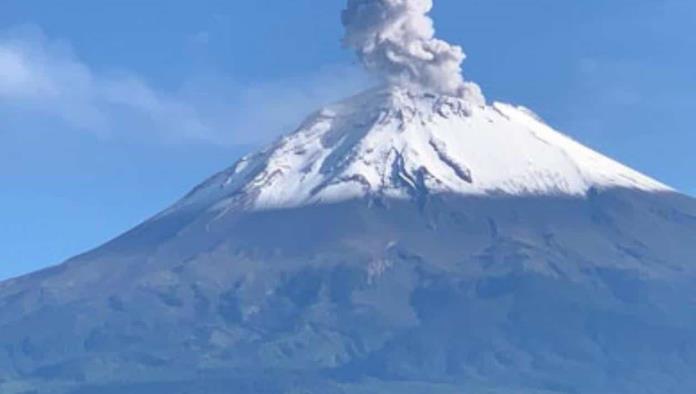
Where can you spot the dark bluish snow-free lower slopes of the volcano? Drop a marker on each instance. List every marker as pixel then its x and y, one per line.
pixel 546 294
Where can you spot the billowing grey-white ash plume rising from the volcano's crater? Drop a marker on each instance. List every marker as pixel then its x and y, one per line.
pixel 396 40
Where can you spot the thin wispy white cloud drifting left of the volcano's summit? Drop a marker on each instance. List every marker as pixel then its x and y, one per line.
pixel 43 77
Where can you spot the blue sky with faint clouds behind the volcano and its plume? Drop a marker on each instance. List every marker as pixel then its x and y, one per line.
pixel 111 110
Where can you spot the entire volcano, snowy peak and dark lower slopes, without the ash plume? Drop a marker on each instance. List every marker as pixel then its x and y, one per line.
pixel 394 243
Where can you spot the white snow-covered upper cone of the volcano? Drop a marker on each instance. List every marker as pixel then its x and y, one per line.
pixel 392 143
